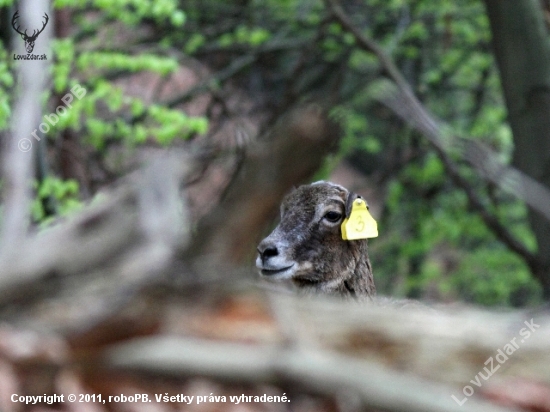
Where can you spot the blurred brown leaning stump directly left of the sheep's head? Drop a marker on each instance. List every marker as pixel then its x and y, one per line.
pixel 294 151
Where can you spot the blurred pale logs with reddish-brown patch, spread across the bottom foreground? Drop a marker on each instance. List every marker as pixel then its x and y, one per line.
pixel 388 358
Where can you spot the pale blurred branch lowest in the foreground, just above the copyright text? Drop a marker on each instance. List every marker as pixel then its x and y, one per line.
pixel 318 371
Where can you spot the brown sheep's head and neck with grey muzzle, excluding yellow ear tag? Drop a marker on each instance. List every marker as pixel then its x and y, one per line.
pixel 307 247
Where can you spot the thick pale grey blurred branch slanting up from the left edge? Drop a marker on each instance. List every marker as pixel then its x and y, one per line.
pixel 103 255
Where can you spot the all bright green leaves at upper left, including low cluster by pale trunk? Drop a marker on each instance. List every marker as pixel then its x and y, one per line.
pixel 105 116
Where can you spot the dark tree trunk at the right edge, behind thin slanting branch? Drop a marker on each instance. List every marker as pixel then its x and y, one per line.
pixel 522 50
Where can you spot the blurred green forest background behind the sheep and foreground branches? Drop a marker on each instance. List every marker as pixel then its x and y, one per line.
pixel 217 74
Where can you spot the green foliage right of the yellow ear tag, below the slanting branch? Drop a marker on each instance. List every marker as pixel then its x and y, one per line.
pixel 452 251
